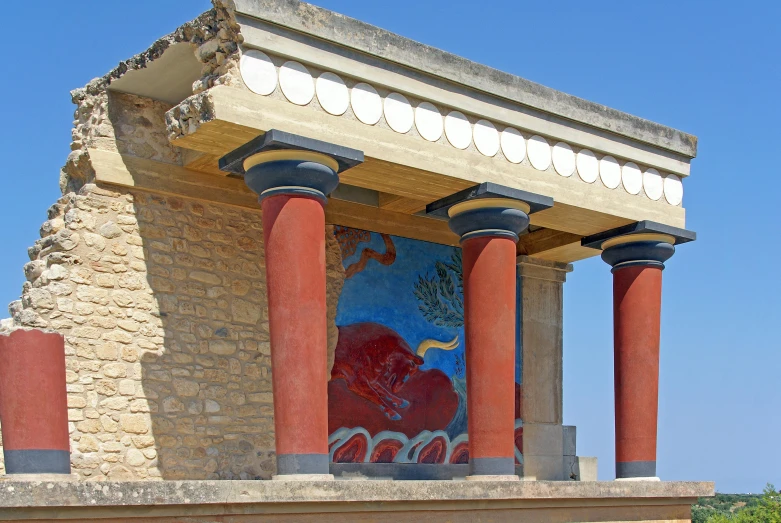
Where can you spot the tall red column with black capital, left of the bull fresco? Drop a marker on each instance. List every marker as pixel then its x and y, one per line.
pixel 293 176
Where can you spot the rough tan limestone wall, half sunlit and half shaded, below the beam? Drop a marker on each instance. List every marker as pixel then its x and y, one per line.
pixel 162 302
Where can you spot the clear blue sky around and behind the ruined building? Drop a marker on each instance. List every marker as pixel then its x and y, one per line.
pixel 708 68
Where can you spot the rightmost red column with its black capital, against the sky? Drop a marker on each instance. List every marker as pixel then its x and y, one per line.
pixel 637 252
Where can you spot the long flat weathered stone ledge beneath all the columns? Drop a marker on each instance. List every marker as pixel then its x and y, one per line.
pixel 42 494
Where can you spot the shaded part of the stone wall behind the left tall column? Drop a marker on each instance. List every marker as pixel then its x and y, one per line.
pixel 209 388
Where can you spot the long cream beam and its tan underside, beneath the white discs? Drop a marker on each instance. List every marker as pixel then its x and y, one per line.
pixel 405 165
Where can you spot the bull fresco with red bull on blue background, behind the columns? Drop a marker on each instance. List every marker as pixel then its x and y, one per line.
pixel 397 392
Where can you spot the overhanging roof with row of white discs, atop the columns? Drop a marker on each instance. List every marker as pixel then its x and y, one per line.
pixel 404 170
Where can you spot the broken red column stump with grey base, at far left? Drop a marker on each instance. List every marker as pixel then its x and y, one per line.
pixel 33 403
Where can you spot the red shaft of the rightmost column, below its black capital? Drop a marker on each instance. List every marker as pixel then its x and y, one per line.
pixel 637 303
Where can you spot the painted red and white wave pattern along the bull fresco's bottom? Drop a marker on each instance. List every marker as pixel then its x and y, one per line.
pixel 356 445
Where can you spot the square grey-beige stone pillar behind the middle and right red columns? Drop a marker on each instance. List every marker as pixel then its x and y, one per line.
pixel 540 318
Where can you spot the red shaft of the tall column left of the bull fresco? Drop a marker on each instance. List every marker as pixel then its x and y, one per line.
pixel 293 230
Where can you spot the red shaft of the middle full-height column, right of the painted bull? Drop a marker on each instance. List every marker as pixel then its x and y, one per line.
pixel 489 306
